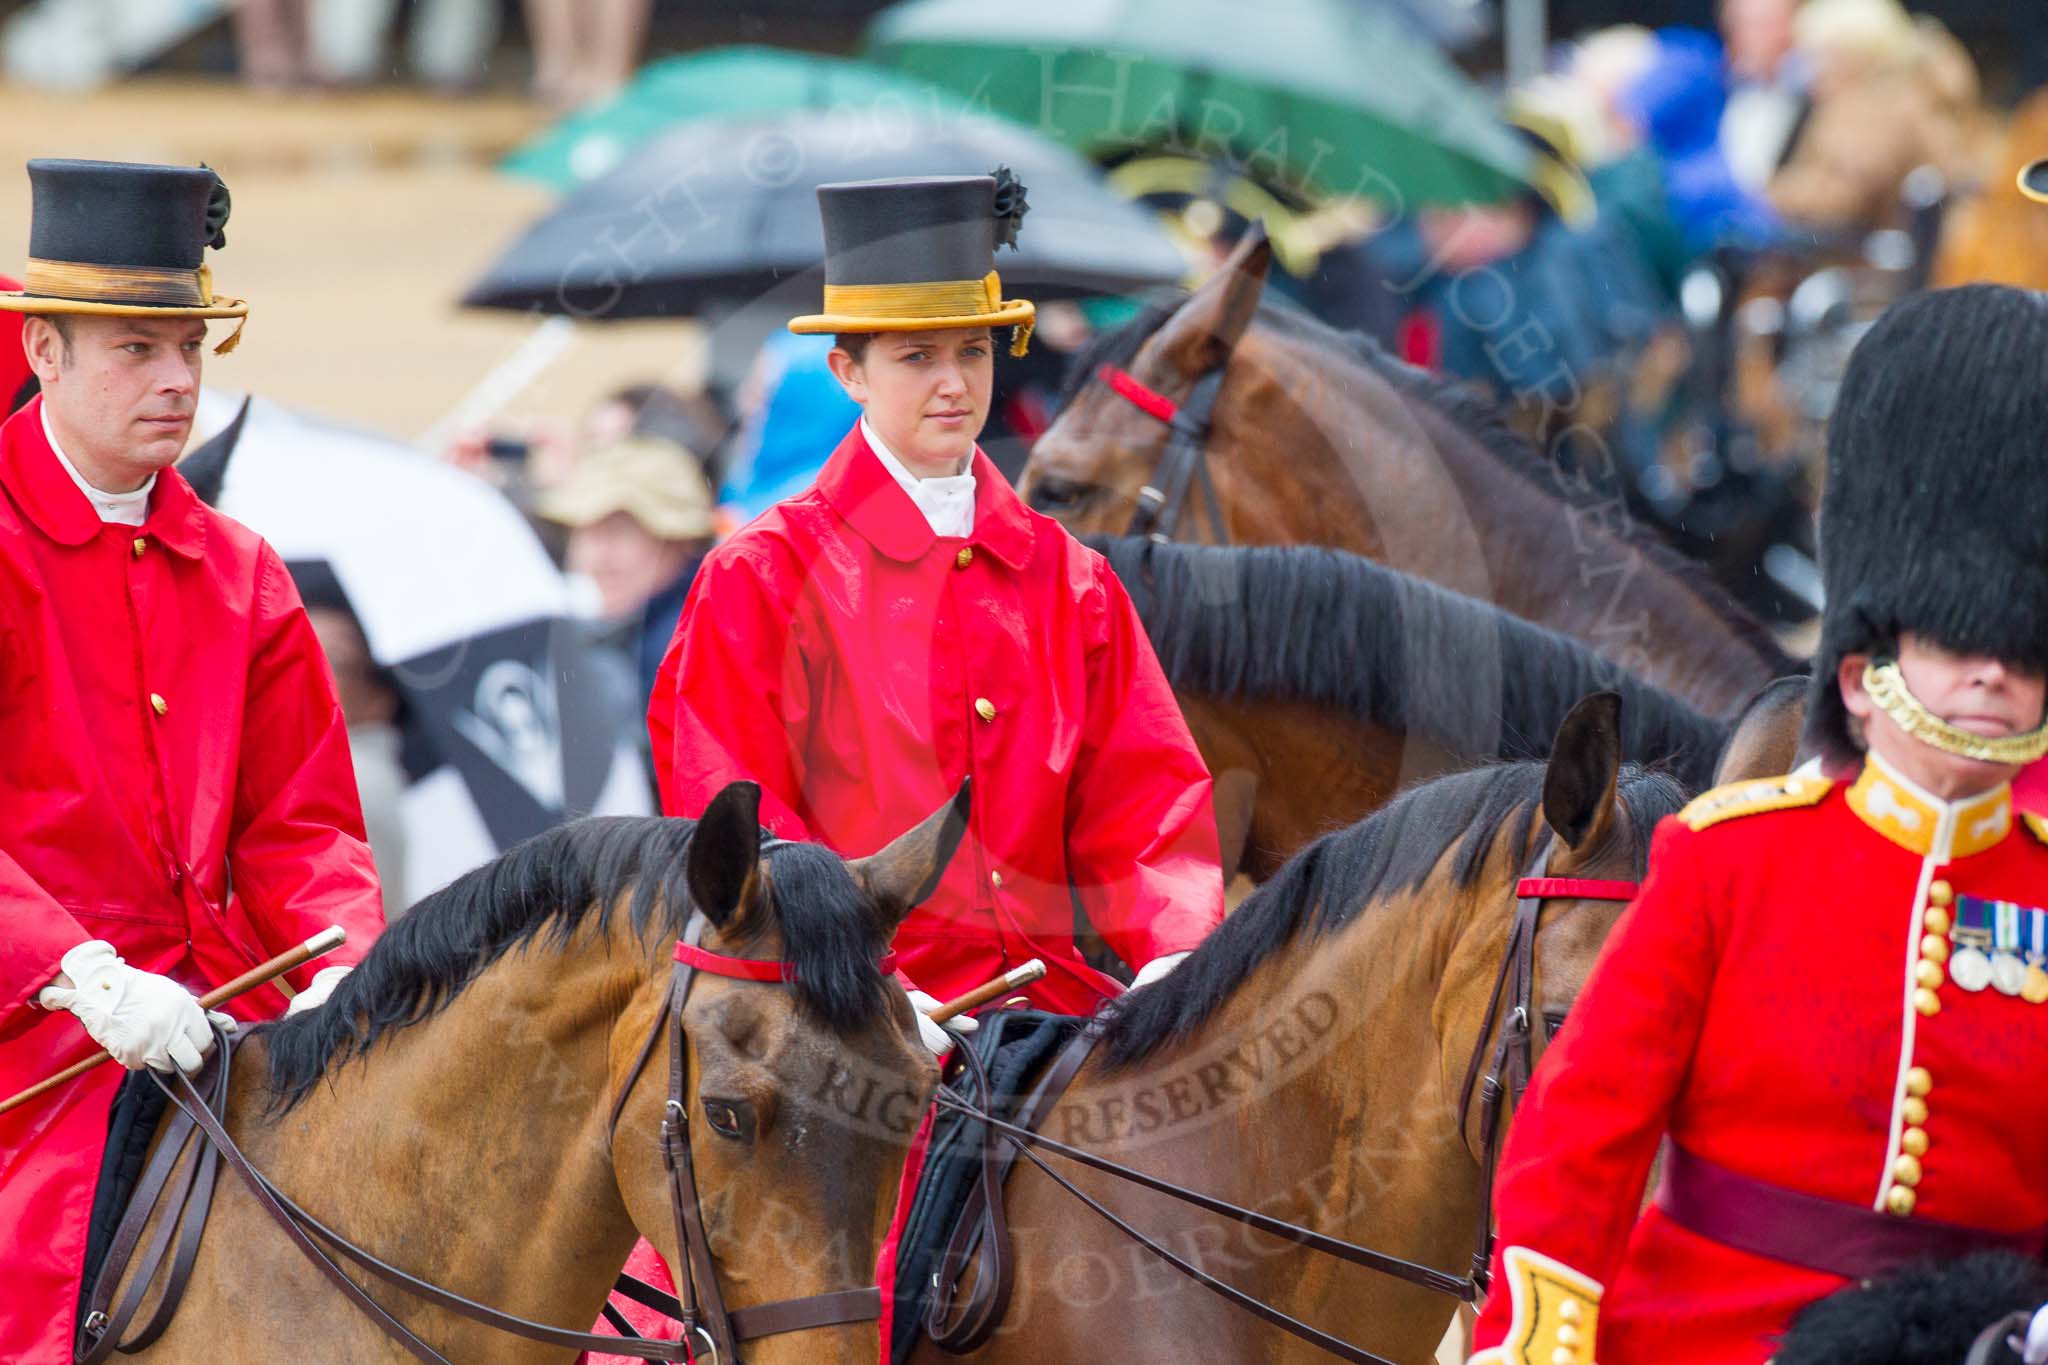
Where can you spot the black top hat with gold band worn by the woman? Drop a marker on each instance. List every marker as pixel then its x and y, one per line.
pixel 921 255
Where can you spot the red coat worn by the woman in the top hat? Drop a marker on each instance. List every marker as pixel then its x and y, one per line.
pixel 859 668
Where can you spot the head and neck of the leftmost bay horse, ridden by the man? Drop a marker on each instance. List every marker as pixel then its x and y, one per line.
pixel 490 1102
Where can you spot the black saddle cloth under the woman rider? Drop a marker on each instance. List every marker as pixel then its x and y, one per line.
pixel 1015 1047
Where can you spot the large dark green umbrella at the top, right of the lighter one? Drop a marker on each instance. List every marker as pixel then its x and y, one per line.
pixel 1332 97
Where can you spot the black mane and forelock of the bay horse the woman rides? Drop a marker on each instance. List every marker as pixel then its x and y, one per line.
pixel 1330 883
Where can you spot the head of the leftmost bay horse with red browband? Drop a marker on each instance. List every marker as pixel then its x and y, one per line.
pixel 802 1102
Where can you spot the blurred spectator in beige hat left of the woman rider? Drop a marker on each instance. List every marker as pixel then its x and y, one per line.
pixel 640 521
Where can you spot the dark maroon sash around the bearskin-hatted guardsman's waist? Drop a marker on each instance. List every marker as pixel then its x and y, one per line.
pixel 1820 1235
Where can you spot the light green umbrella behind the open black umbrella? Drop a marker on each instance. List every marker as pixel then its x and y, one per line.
pixel 714 85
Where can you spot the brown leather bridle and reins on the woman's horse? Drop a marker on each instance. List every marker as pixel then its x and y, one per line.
pixel 1494 1073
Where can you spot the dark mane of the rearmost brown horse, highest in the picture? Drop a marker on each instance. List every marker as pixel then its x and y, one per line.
pixel 1465 408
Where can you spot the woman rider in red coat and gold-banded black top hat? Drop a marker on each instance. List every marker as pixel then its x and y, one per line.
pixel 908 623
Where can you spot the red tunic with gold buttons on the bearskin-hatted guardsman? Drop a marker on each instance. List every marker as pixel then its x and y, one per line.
pixel 1766 1002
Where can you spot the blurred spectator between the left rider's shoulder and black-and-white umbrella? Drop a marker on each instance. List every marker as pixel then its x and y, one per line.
pixel 372 707
